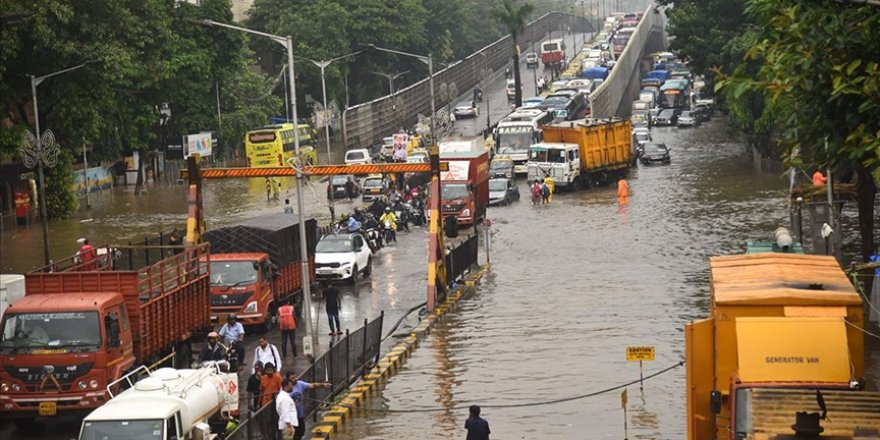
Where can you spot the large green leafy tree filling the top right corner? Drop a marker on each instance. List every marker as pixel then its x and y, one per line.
pixel 819 65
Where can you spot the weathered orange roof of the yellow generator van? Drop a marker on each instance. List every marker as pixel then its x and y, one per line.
pixel 780 279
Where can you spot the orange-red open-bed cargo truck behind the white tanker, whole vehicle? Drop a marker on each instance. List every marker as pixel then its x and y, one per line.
pixel 82 326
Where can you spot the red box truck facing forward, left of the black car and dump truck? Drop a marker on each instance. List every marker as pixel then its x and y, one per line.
pixel 464 188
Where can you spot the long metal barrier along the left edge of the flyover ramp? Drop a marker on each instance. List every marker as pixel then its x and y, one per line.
pixel 366 124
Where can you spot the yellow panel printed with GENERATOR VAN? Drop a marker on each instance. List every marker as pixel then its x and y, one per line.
pixel 792 349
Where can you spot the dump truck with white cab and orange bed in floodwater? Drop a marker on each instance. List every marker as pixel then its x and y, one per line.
pixel 583 153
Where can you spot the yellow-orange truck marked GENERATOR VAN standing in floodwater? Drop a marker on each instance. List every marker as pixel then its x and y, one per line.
pixel 781 355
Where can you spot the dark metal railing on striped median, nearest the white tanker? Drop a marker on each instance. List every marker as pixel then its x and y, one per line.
pixel 342 365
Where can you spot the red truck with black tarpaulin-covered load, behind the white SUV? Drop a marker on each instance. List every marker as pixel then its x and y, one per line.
pixel 255 266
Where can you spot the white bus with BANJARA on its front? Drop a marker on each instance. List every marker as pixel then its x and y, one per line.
pixel 519 131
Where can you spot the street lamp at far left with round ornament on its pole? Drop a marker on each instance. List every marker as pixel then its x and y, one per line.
pixel 41 151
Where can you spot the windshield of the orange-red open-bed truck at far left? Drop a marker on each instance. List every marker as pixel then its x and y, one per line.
pixel 30 331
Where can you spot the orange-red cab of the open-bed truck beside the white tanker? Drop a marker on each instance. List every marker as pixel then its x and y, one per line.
pixel 59 351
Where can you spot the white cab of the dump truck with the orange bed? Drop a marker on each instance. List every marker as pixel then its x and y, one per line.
pixel 559 161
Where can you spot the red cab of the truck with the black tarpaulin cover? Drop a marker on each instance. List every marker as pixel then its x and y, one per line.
pixel 241 283
